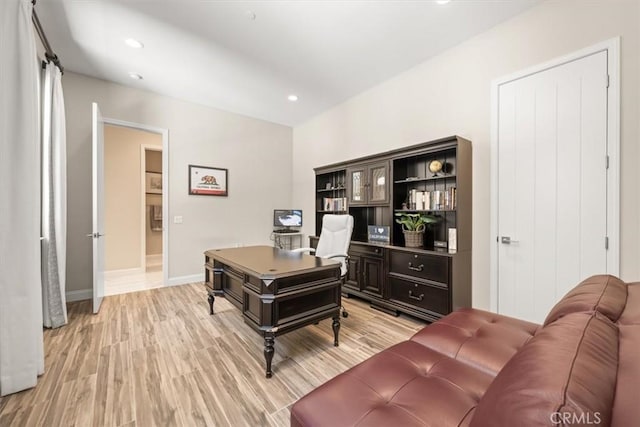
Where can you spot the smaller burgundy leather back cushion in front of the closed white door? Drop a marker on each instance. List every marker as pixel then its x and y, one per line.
pixel 604 293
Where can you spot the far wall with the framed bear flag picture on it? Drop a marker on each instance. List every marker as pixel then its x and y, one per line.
pixel 257 154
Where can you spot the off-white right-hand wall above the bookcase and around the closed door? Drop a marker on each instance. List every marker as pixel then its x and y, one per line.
pixel 450 94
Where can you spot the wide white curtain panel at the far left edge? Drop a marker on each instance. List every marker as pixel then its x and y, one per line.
pixel 21 345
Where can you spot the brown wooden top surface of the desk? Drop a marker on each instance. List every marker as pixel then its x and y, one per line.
pixel 267 261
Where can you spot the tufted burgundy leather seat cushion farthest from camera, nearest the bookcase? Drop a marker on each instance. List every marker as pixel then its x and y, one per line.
pixel 477 338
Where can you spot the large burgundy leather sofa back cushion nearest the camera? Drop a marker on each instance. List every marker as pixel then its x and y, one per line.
pixel 566 373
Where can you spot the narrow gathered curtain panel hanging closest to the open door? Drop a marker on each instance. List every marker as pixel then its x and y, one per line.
pixel 54 199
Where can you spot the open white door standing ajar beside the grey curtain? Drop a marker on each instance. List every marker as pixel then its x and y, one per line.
pixel 98 206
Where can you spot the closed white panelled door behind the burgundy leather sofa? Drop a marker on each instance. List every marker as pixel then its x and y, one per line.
pixel 552 184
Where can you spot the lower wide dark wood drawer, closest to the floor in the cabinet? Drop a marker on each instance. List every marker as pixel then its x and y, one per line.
pixel 419 295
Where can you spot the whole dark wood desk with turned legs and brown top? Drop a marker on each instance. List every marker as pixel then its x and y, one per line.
pixel 278 291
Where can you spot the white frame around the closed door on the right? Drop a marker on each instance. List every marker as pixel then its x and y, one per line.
pixel 612 47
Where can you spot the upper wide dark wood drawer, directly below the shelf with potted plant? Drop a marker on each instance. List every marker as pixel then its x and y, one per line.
pixel 425 266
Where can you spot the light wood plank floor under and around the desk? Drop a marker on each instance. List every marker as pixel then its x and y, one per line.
pixel 156 358
